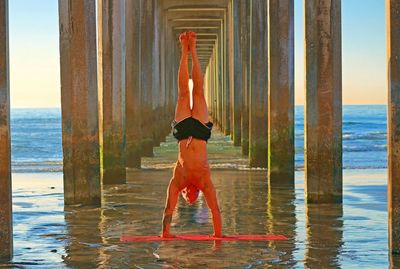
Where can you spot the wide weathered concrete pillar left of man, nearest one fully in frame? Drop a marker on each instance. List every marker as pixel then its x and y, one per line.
pixel 79 98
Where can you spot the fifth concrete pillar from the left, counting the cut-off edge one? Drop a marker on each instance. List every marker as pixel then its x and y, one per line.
pixel 146 75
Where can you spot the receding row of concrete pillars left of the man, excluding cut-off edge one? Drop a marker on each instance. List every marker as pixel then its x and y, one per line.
pixel 116 104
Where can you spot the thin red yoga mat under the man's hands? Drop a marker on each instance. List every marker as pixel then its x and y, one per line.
pixel 201 237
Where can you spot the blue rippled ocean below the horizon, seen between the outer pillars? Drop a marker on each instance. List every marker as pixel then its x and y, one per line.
pixel 37 147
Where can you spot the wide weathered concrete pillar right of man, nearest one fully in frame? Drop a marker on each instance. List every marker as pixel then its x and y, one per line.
pixel 323 108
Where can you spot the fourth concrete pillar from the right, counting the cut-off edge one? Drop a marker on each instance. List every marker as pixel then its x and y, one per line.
pixel 258 95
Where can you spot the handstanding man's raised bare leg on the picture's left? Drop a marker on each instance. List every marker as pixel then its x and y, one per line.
pixel 182 110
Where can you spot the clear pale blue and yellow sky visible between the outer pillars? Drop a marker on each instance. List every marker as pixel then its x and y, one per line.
pixel 34 52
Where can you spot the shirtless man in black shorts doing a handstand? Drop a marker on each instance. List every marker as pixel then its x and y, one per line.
pixel 192 129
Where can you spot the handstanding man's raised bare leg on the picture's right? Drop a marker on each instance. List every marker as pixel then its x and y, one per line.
pixel 199 110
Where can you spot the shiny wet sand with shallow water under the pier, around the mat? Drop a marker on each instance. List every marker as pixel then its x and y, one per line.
pixel 352 235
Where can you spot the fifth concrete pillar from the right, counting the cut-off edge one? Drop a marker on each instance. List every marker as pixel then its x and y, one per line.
pixel 245 16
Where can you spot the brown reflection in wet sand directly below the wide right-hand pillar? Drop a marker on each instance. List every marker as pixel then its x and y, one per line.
pixel 324 231
